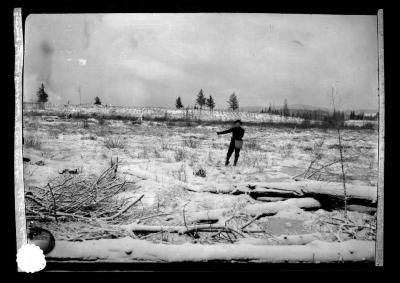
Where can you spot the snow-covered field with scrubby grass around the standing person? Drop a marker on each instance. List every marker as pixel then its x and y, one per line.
pixel 161 161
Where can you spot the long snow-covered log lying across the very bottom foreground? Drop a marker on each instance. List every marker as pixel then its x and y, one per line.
pixel 131 250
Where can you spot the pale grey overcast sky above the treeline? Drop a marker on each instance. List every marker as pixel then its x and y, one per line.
pixel 150 59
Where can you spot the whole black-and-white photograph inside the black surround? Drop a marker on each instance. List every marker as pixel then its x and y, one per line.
pixel 202 137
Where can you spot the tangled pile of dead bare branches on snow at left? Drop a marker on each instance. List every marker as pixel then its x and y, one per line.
pixel 80 197
